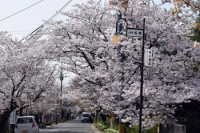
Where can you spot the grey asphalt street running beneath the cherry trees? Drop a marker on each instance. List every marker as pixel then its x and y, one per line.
pixel 70 127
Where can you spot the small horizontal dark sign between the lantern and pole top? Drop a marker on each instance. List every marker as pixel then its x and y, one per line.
pixel 132 32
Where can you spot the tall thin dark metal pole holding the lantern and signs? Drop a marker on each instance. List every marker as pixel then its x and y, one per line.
pixel 142 79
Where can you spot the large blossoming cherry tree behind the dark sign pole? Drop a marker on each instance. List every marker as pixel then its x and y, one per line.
pixel 113 70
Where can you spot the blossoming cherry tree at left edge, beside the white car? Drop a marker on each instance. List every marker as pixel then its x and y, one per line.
pixel 25 75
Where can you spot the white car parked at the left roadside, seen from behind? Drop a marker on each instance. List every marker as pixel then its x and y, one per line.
pixel 26 124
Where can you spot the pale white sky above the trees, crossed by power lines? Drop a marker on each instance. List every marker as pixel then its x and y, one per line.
pixel 25 22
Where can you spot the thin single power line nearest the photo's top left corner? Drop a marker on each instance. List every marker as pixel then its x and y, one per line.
pixel 22 10
